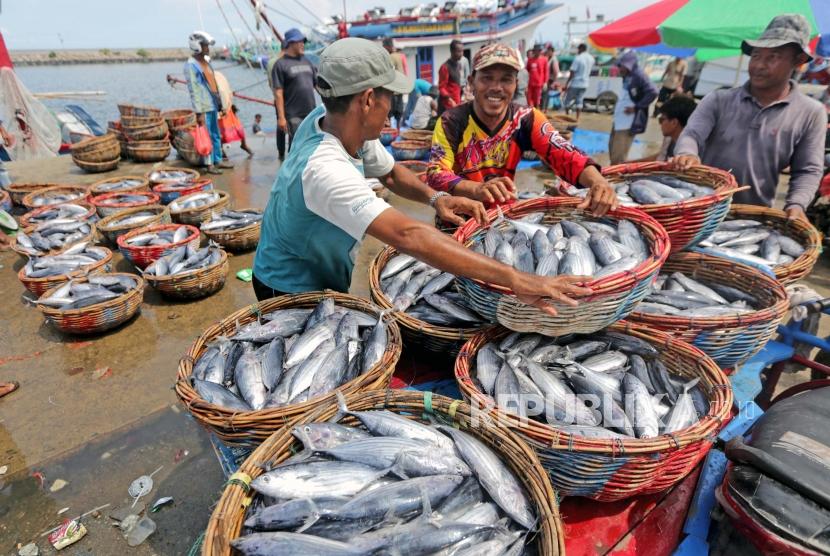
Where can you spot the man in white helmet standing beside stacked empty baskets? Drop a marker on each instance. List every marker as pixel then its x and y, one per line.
pixel 204 95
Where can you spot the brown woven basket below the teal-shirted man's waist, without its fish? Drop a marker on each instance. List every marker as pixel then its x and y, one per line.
pixel 252 427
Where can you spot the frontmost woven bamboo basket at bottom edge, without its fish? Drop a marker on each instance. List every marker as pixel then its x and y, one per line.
pixel 229 514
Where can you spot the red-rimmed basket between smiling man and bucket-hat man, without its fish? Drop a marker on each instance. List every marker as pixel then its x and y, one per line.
pixel 687 222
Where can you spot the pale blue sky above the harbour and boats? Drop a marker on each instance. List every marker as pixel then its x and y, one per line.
pixel 56 24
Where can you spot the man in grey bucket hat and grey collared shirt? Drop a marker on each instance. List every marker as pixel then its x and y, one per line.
pixel 760 128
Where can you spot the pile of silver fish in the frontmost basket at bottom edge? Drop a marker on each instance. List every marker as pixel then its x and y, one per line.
pixel 393 486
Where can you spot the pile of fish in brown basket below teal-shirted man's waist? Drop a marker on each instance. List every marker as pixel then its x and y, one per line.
pixel 293 356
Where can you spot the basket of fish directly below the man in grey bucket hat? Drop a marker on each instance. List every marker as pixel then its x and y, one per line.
pixel 766 238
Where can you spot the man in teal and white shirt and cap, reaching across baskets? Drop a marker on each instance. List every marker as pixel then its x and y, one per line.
pixel 321 205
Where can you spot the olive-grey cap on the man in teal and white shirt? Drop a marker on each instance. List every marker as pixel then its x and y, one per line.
pixel 353 65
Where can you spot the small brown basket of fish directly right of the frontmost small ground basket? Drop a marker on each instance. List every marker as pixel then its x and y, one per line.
pixel 189 273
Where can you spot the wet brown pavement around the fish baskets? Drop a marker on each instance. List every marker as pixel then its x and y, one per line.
pixel 98 412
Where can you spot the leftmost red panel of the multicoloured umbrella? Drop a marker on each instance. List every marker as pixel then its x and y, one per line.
pixel 638 28
